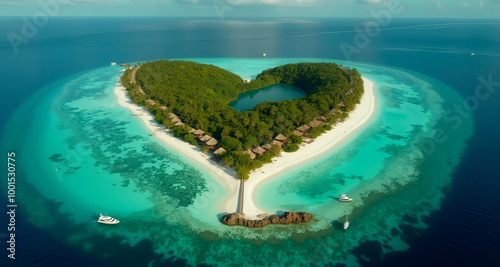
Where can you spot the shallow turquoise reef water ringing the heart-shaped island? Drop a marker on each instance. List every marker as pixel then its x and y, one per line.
pixel 88 154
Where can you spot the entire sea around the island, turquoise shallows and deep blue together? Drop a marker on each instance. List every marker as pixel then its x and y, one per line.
pixel 80 153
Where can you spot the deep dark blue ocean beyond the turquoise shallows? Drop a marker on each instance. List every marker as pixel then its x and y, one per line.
pixel 463 231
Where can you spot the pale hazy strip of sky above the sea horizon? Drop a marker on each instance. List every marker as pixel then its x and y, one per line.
pixel 468 9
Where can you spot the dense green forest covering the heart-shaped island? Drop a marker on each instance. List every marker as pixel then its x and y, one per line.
pixel 198 94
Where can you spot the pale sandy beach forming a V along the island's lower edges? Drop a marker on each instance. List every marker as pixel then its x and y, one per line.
pixel 322 144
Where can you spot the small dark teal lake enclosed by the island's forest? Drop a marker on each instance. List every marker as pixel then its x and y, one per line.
pixel 274 92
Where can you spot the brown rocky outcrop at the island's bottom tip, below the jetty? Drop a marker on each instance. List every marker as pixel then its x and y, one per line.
pixel 285 218
